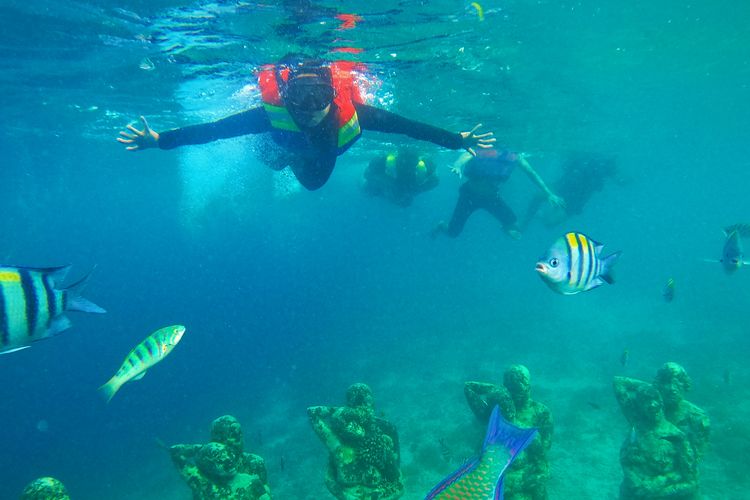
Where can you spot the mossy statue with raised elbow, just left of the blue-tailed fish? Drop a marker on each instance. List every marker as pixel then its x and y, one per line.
pixel 363 450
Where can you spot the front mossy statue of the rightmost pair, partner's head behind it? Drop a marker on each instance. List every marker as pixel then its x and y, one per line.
pixel 657 458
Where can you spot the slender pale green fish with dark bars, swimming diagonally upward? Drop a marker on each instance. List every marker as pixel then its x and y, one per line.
pixel 145 355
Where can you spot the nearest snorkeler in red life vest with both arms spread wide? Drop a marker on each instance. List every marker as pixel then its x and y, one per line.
pixel 314 112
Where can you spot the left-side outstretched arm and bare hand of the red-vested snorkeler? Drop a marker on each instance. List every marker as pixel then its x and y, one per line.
pixel 252 121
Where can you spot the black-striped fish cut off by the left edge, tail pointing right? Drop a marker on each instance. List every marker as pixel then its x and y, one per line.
pixel 33 308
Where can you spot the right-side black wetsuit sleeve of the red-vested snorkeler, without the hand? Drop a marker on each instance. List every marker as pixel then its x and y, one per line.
pixel 380 120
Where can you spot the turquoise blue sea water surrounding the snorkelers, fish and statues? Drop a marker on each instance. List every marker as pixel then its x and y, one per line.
pixel 290 296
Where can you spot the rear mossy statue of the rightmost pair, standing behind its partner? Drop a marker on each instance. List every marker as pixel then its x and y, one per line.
pixel 673 383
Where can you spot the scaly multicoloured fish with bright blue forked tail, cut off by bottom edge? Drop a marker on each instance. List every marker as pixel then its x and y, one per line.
pixel 482 477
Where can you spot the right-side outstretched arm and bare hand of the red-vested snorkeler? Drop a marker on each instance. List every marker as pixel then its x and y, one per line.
pixel 380 120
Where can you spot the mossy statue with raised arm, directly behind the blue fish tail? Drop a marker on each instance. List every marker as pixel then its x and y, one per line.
pixel 528 476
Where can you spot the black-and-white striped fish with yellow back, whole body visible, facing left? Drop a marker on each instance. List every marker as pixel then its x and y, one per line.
pixel 573 264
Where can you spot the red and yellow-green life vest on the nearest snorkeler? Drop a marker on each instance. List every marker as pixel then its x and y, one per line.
pixel 285 130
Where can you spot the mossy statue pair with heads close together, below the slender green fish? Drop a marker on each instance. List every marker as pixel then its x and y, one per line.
pixel 221 469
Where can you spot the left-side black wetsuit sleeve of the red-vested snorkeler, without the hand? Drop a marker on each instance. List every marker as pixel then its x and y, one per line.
pixel 252 121
